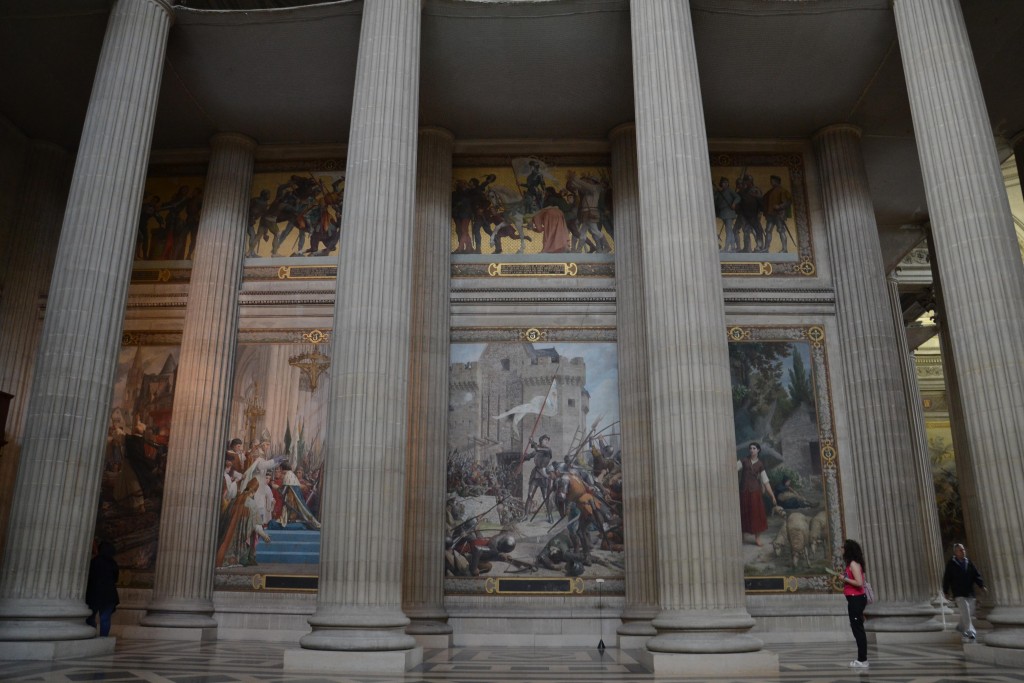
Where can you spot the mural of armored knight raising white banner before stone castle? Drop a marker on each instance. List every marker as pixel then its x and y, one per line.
pixel 535 462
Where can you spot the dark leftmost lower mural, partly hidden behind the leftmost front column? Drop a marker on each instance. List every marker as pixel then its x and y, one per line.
pixel 136 460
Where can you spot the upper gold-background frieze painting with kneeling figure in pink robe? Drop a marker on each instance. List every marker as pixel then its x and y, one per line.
pixel 529 207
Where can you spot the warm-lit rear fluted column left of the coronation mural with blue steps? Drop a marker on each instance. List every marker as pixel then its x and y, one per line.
pixel 182 607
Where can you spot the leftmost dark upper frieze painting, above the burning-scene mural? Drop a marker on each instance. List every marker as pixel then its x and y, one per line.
pixel 168 221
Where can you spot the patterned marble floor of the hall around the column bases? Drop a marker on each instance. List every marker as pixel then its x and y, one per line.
pixel 165 662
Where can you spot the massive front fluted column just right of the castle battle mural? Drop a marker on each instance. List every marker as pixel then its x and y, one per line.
pixel 703 614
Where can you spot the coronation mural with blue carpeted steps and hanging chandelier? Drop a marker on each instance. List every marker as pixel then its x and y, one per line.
pixel 274 464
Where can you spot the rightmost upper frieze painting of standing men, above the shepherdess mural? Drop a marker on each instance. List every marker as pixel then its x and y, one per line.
pixel 761 211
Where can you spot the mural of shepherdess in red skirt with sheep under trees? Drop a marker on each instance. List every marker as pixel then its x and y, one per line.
pixel 786 450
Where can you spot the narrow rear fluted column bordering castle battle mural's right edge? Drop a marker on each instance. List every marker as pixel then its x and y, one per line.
pixel 634 404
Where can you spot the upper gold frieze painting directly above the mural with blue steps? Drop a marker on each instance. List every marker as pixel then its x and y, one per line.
pixel 295 215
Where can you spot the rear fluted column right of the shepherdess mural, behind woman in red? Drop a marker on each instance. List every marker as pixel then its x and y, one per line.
pixel 880 465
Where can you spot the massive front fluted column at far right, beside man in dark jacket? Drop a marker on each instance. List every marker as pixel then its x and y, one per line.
pixel 984 284
